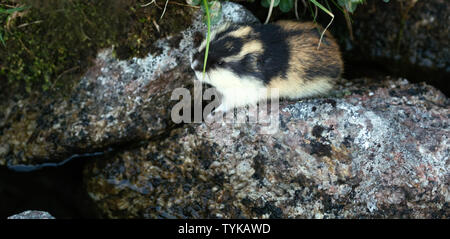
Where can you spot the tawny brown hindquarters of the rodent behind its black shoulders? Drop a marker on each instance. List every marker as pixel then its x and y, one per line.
pixel 312 69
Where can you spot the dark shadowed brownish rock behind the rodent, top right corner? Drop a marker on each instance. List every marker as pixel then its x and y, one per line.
pixel 423 37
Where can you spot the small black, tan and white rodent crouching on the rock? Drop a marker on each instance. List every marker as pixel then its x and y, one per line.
pixel 245 60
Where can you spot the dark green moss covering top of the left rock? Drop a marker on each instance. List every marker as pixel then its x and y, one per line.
pixel 50 45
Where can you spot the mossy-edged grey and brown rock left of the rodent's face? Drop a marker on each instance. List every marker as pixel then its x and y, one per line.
pixel 115 103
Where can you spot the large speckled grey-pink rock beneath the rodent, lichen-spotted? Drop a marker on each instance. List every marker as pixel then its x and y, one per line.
pixel 369 152
